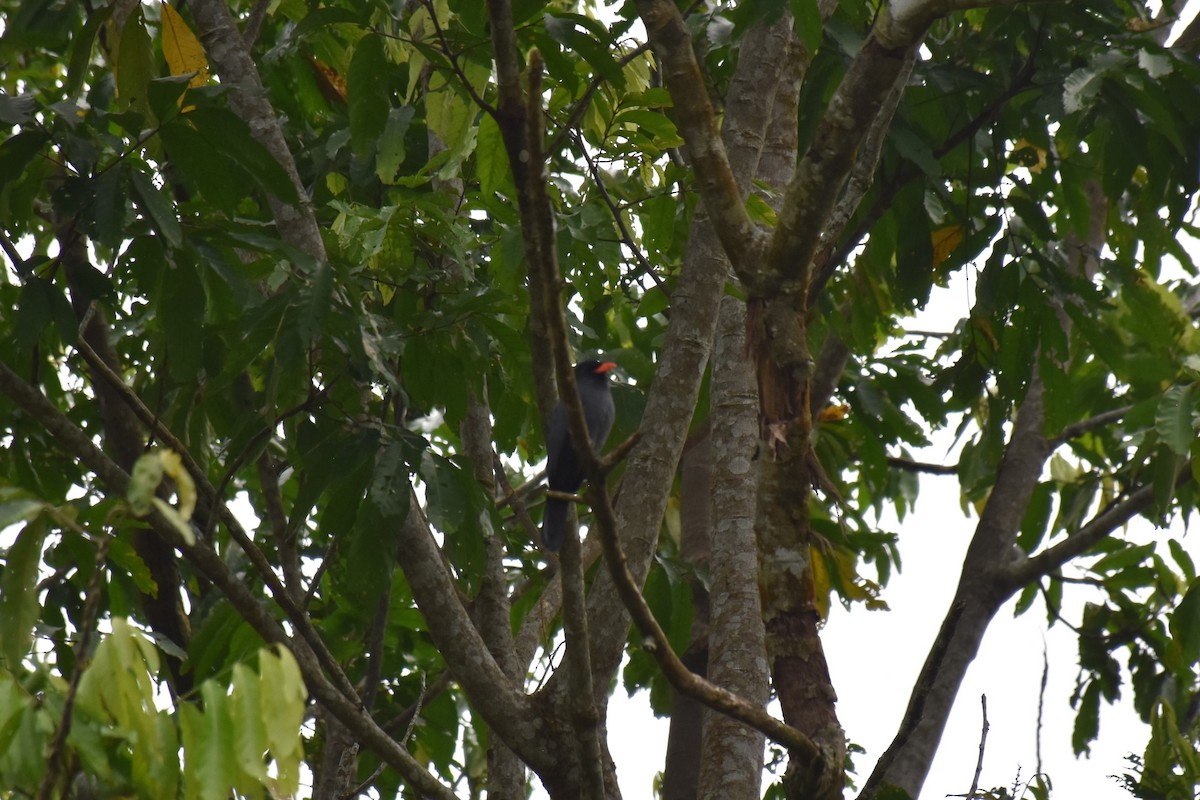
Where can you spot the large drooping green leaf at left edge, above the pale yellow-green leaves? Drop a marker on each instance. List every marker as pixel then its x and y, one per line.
pixel 19 593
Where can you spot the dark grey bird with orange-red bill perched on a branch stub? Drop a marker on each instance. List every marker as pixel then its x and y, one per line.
pixel 565 473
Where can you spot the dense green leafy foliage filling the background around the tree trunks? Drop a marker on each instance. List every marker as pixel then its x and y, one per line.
pixel 356 374
